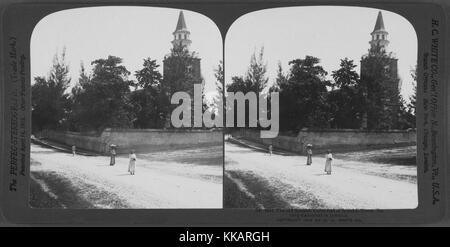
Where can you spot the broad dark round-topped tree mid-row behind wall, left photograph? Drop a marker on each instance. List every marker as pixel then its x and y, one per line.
pixel 103 100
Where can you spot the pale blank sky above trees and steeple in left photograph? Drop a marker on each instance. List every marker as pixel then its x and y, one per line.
pixel 132 33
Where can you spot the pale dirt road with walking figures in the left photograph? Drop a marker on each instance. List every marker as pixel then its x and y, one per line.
pixel 189 178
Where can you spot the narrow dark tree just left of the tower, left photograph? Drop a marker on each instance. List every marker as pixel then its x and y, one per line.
pixel 150 103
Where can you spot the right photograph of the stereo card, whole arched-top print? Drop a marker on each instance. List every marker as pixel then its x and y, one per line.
pixel 339 87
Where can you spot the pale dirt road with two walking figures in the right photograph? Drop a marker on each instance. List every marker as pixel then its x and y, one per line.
pixel 279 181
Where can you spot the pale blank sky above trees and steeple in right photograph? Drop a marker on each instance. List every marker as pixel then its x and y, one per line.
pixel 328 32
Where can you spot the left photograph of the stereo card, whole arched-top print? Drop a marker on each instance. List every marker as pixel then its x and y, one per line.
pixel 103 132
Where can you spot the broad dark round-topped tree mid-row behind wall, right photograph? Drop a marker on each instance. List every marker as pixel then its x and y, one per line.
pixel 303 96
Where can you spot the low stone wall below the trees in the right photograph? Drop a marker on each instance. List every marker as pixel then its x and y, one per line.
pixel 337 140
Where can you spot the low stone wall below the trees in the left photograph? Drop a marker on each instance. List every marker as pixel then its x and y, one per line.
pixel 141 140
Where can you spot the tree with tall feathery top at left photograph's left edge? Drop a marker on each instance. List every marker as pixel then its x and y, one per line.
pixel 49 101
